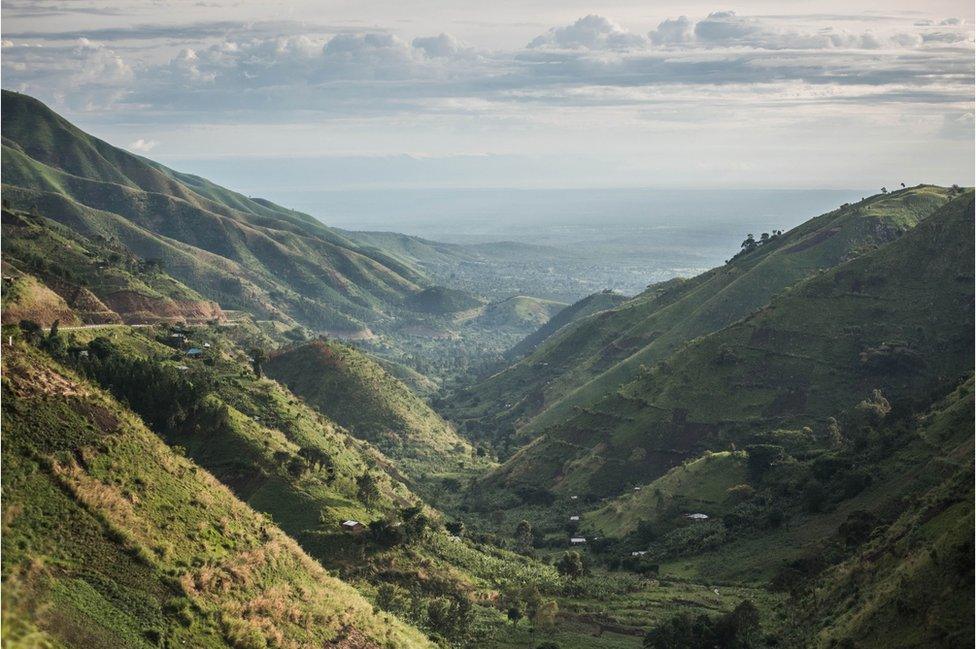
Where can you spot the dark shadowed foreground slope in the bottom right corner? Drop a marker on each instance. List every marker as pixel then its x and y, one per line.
pixel 911 584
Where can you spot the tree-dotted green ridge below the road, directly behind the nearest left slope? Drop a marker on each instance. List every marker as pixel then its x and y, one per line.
pixel 307 474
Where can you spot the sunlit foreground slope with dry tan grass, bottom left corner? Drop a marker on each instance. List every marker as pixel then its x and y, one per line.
pixel 112 540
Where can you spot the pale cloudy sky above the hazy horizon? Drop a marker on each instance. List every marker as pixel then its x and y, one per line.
pixel 334 94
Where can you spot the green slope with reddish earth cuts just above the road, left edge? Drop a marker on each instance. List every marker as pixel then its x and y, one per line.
pixel 99 278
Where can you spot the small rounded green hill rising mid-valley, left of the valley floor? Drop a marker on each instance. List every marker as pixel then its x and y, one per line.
pixel 360 395
